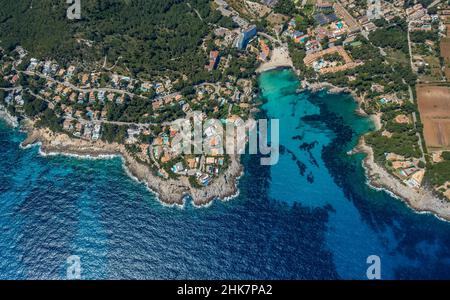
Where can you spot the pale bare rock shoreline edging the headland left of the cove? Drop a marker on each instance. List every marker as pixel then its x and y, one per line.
pixel 168 191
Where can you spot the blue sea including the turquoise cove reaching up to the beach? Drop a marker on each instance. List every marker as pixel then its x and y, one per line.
pixel 311 216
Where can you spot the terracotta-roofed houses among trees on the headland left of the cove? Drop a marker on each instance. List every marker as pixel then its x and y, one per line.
pixel 82 101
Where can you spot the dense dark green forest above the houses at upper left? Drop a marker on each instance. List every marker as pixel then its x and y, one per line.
pixel 148 35
